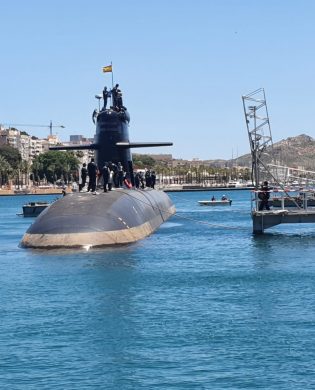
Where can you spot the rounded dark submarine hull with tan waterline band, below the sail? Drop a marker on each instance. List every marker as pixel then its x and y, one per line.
pixel 84 220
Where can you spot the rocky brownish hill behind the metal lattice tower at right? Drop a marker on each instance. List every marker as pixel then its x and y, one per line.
pixel 296 152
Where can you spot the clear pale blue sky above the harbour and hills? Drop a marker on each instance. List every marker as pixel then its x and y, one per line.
pixel 182 66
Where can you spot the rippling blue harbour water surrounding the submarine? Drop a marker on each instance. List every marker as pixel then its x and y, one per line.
pixel 200 304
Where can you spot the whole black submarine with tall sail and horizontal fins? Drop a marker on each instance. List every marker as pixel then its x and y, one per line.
pixel 121 216
